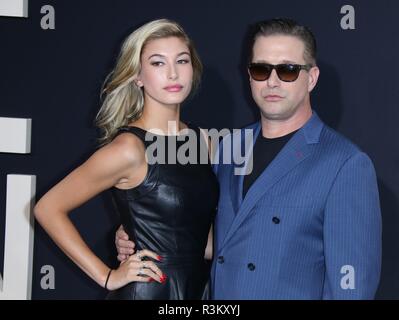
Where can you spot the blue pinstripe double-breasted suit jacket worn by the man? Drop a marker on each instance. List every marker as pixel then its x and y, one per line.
pixel 308 228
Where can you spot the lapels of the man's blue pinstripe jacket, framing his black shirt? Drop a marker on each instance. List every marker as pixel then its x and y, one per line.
pixel 294 152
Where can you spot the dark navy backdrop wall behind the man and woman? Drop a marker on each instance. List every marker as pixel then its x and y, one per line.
pixel 54 77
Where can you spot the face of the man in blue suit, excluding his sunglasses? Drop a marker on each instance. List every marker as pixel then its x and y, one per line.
pixel 279 100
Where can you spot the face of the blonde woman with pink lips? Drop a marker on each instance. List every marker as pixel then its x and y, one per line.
pixel 166 71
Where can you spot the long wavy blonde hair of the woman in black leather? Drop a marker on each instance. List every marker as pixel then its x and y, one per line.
pixel 124 100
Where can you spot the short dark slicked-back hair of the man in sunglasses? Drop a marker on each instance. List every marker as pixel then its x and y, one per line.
pixel 285 26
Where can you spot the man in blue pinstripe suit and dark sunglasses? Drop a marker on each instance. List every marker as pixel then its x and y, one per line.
pixel 304 222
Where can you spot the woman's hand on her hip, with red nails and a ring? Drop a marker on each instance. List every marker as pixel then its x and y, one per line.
pixel 134 269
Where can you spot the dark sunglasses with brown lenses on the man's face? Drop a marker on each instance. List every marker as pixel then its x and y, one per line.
pixel 286 72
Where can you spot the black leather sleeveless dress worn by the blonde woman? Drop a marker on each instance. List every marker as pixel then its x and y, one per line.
pixel 170 213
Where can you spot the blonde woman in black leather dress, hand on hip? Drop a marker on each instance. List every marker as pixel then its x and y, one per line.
pixel 167 209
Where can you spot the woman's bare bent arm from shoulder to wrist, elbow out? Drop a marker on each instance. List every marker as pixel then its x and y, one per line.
pixel 120 161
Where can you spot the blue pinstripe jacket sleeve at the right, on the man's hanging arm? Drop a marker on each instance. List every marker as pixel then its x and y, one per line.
pixel 352 232
